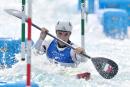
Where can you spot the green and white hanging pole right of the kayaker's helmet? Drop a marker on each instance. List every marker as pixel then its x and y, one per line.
pixel 82 23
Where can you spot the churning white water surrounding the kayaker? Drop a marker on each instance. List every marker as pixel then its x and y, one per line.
pixel 46 13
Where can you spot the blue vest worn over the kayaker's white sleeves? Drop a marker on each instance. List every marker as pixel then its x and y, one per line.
pixel 60 56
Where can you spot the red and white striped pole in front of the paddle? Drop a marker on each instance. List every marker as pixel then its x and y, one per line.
pixel 28 84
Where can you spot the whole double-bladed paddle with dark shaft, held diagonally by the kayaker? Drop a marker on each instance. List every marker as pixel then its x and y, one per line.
pixel 107 68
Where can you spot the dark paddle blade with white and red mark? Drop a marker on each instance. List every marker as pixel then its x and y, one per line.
pixel 106 67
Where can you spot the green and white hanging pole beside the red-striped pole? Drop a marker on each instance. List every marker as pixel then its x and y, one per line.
pixel 23 32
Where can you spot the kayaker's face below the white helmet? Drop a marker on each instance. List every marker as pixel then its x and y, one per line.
pixel 63 35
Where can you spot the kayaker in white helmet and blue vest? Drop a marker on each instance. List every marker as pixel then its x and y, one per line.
pixel 56 51
